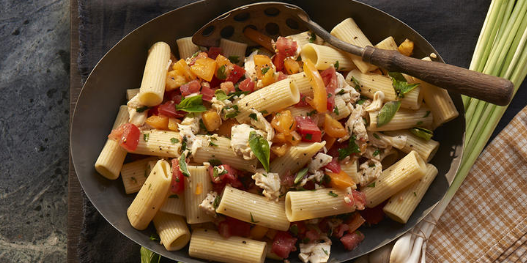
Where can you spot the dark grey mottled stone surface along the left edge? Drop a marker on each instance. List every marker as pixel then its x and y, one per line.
pixel 34 71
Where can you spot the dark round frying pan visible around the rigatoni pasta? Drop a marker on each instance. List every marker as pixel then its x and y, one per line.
pixel 122 67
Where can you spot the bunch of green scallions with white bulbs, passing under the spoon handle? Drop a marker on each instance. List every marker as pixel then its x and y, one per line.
pixel 501 51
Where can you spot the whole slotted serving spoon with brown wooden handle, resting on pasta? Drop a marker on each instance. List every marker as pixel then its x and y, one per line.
pixel 268 16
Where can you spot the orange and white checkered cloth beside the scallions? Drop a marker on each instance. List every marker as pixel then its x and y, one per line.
pixel 486 220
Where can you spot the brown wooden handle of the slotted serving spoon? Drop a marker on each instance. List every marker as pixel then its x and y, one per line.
pixel 471 83
